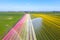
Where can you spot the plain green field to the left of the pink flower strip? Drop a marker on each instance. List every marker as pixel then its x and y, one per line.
pixel 7 21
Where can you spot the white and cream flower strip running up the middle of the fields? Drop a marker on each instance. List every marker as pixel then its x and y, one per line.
pixel 31 34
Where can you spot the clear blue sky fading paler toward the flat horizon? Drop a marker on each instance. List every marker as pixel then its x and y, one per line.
pixel 29 5
